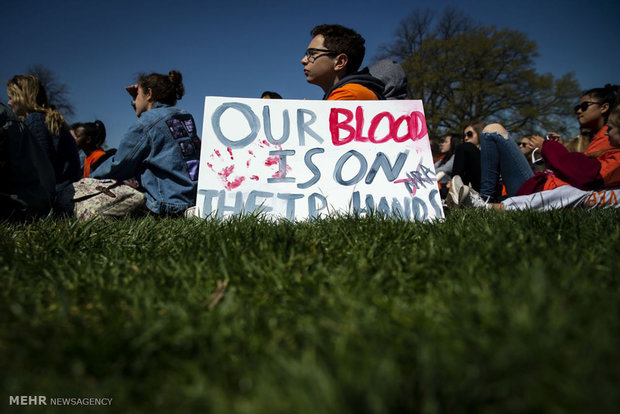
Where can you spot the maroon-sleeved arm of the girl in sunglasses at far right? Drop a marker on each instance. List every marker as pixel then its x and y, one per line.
pixel 575 168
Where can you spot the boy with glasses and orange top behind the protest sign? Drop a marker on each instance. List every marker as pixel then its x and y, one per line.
pixel 331 61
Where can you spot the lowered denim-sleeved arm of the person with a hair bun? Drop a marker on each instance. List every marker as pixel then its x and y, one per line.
pixel 127 162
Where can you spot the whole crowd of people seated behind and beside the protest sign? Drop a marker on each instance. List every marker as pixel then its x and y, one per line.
pixel 160 153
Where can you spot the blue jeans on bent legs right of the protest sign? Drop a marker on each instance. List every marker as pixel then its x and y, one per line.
pixel 501 155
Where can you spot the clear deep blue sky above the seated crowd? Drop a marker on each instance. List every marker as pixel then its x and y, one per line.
pixel 241 48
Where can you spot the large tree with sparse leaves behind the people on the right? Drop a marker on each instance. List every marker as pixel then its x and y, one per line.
pixel 464 72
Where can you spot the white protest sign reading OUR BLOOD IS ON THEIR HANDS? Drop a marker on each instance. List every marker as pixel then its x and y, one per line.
pixel 305 159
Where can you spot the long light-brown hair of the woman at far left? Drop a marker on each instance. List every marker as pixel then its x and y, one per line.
pixel 28 92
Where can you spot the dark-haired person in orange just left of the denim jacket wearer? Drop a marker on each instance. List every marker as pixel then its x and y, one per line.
pixel 89 138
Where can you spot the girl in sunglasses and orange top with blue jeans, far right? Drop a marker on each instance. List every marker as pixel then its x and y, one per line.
pixel 598 167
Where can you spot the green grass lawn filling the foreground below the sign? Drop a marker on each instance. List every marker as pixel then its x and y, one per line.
pixel 482 313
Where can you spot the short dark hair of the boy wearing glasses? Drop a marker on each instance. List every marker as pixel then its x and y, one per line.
pixel 343 40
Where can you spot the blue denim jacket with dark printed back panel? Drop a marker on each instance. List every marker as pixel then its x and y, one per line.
pixel 163 150
